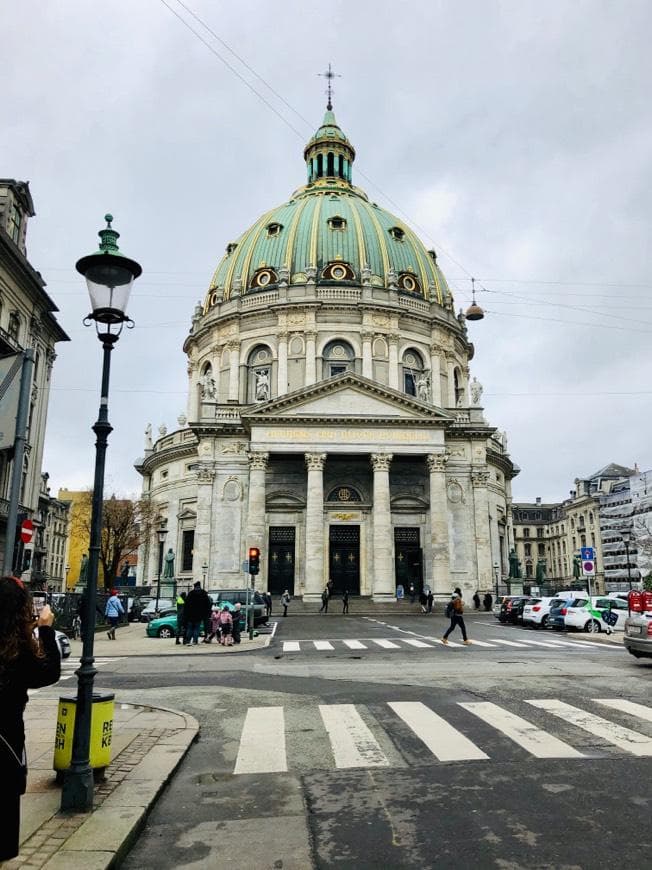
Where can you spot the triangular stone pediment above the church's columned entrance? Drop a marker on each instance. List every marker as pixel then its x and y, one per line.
pixel 347 396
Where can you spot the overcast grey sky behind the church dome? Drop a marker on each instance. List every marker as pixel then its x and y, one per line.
pixel 516 137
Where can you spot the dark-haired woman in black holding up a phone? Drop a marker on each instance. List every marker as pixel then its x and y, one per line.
pixel 25 663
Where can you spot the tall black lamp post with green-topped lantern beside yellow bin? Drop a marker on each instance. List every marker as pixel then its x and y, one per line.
pixel 109 277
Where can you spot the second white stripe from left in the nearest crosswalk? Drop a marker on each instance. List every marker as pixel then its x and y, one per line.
pixel 352 742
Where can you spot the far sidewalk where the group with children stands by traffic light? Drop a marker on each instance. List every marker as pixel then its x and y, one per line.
pixel 131 640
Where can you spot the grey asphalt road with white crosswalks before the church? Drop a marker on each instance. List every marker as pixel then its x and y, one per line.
pixel 354 742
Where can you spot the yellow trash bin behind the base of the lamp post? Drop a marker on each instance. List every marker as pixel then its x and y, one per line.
pixel 101 731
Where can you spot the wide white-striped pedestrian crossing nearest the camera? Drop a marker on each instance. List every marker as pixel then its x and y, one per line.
pixel 356 738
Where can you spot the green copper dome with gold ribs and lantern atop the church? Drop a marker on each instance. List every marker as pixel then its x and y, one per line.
pixel 328 233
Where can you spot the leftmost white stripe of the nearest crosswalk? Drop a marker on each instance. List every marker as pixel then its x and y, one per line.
pixel 262 742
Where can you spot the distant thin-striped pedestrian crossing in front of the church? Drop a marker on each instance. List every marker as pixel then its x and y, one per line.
pixel 423 642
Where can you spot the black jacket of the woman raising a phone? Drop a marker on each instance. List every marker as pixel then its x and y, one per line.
pixel 27 672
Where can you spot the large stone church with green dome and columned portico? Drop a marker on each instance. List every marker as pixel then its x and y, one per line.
pixel 331 417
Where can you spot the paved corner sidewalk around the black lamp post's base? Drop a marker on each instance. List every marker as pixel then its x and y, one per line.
pixel 149 743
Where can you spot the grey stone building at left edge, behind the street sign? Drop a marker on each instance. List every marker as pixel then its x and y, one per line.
pixel 27 320
